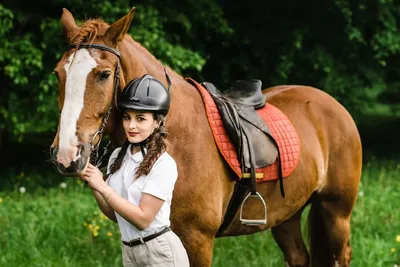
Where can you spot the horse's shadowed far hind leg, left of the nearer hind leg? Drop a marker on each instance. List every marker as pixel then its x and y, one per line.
pixel 288 236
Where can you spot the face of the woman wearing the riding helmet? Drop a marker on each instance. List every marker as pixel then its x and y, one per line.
pixel 138 125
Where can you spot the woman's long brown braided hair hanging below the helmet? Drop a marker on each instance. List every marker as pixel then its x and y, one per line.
pixel 156 145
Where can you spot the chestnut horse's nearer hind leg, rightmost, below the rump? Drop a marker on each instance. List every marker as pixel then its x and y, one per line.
pixel 329 219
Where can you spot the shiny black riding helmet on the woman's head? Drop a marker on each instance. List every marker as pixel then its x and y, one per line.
pixel 146 94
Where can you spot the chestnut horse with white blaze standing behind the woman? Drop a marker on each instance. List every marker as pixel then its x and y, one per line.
pixel 327 175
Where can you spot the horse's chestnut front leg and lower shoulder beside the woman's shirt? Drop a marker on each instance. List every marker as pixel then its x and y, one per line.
pixel 199 203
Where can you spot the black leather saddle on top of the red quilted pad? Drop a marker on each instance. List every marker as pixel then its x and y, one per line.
pixel 247 130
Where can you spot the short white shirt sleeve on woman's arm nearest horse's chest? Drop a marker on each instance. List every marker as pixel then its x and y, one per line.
pixel 161 179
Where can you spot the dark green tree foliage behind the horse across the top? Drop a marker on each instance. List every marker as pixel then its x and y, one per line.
pixel 347 49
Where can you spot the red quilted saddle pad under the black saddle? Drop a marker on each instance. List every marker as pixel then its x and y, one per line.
pixel 282 130
